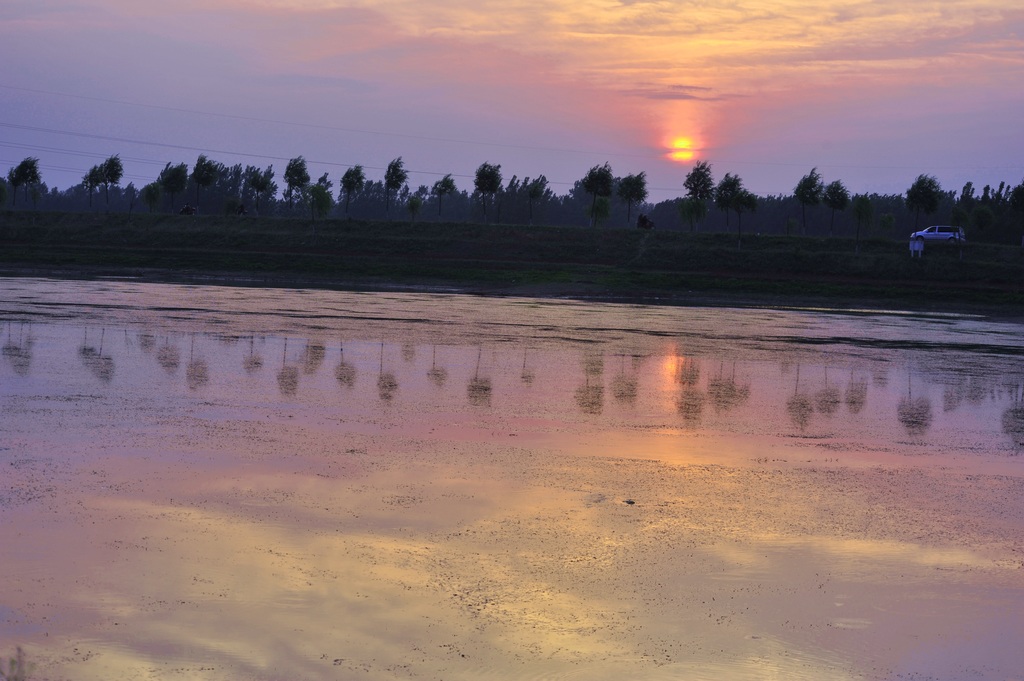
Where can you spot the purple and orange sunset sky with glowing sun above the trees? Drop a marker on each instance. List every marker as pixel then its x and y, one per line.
pixel 873 93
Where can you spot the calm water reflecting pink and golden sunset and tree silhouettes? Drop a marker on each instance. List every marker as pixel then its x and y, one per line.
pixel 255 484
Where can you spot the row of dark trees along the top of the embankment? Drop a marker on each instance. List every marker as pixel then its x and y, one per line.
pixel 816 208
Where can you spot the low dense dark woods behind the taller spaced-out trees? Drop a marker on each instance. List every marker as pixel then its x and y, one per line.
pixel 992 215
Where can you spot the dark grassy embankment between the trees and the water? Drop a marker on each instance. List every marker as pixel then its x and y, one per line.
pixel 513 259
